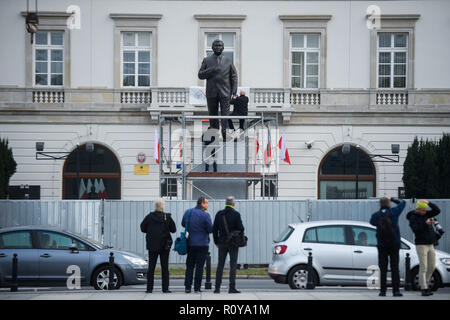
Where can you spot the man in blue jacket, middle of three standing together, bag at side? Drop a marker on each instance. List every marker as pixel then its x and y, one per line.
pixel 199 226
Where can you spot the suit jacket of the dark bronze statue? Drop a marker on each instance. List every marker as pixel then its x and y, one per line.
pixel 221 83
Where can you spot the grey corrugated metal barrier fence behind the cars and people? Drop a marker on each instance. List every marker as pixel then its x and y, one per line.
pixel 116 222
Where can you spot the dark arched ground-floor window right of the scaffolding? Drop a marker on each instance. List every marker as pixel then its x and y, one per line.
pixel 337 175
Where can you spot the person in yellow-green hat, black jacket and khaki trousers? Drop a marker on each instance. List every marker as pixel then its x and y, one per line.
pixel 421 223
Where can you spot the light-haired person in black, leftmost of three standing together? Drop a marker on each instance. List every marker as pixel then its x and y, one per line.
pixel 158 225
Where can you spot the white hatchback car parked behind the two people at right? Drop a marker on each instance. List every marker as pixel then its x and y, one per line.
pixel 344 253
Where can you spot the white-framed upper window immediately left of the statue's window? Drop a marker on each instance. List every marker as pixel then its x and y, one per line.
pixel 136 59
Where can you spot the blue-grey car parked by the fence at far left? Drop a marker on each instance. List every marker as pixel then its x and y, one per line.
pixel 45 254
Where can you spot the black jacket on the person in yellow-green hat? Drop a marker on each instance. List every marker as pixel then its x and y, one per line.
pixel 424 234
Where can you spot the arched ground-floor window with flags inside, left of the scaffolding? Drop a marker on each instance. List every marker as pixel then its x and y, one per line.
pixel 99 172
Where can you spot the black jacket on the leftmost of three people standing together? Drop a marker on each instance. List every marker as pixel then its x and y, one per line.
pixel 158 226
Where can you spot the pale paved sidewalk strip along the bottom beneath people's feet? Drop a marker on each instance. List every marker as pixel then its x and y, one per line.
pixel 316 294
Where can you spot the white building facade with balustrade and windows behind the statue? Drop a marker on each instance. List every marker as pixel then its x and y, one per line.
pixel 367 73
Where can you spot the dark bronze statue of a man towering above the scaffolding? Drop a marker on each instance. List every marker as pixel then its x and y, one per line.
pixel 221 84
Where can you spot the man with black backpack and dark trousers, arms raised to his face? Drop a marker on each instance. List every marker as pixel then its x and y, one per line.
pixel 388 242
